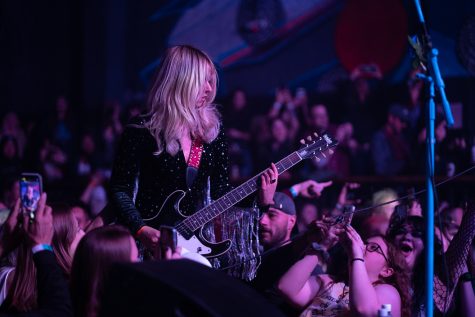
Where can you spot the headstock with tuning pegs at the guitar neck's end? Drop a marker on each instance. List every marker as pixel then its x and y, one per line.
pixel 317 147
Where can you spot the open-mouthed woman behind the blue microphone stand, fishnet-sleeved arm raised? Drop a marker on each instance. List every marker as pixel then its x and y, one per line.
pixel 407 233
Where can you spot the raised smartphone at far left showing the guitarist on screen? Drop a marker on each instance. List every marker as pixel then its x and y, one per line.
pixel 31 187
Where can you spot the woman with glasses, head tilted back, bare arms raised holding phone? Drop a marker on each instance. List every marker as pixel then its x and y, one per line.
pixel 376 275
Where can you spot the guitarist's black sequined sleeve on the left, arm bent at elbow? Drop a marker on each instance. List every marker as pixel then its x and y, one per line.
pixel 125 174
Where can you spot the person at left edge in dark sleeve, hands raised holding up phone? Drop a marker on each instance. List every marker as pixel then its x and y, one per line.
pixel 52 296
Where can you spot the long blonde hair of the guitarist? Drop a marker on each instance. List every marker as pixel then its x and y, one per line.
pixel 174 95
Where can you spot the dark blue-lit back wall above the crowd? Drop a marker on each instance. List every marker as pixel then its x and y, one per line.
pixel 97 51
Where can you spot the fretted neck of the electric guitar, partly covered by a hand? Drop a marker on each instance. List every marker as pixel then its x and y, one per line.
pixel 208 213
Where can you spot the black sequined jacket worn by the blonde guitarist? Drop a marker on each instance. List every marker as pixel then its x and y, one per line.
pixel 150 178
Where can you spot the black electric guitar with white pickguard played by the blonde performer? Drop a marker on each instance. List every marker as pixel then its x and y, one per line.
pixel 189 229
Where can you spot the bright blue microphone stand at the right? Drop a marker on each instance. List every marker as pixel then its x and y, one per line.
pixel 435 83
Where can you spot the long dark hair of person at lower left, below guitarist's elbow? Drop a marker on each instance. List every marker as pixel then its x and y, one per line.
pixel 96 252
